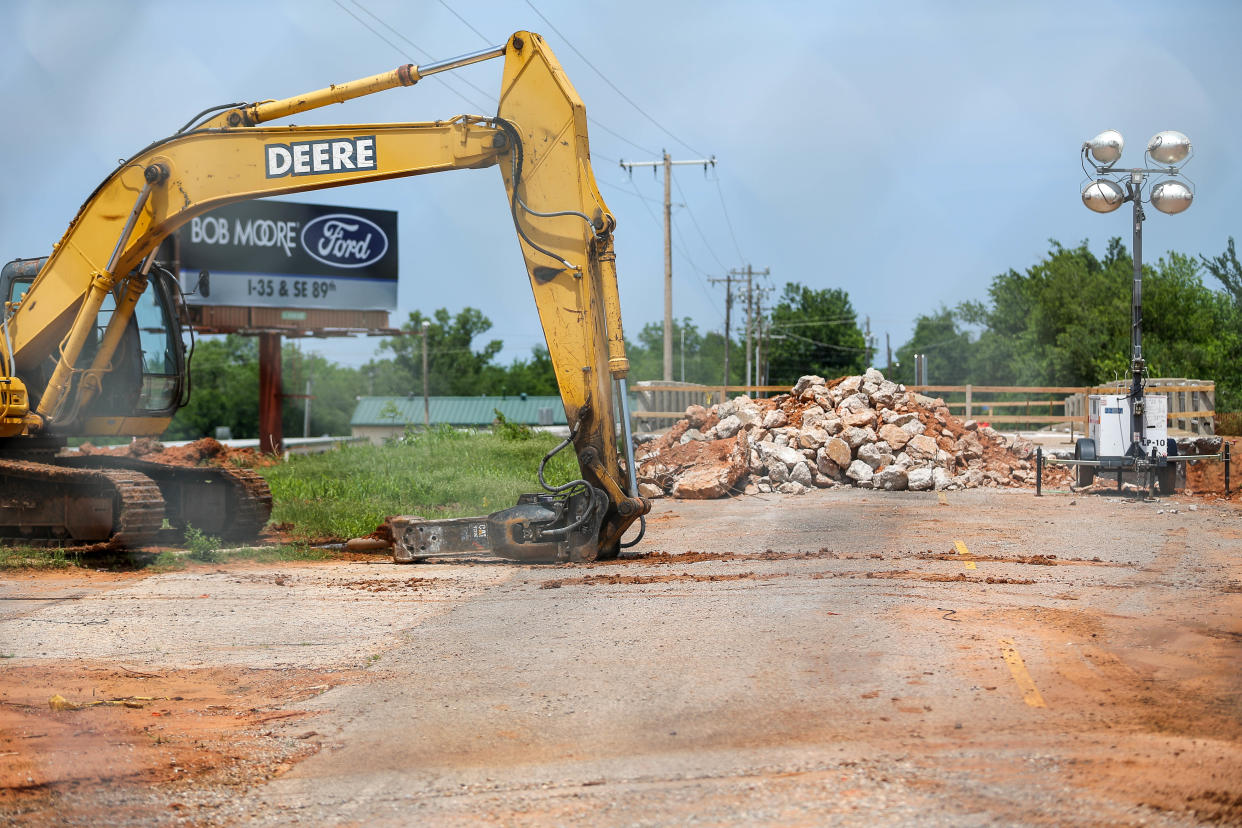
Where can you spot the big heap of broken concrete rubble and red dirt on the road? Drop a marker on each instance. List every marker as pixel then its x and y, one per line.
pixel 863 431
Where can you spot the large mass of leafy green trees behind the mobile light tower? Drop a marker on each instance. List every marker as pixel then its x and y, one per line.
pixel 1066 321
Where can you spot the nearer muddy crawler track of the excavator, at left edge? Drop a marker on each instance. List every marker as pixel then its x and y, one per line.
pixel 112 508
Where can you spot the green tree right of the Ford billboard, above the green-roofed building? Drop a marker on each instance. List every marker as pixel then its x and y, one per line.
pixel 454 367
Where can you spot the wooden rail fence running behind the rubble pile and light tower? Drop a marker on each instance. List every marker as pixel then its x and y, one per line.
pixel 1190 402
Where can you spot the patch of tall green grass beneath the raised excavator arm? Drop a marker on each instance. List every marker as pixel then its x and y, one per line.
pixel 442 474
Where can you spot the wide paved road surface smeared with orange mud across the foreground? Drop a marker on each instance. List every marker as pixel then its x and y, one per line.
pixel 849 656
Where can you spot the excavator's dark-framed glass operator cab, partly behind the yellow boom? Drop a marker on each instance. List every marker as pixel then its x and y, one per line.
pixel 147 377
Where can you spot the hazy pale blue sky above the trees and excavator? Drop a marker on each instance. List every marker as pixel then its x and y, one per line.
pixel 905 152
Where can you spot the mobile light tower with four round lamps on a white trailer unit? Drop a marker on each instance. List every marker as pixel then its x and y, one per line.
pixel 1130 433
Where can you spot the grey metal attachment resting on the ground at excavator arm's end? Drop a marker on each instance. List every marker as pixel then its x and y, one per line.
pixel 542 528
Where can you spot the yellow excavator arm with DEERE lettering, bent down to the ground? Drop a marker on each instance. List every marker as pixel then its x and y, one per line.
pixel 538 140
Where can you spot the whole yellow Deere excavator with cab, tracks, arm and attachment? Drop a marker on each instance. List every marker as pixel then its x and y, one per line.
pixel 93 338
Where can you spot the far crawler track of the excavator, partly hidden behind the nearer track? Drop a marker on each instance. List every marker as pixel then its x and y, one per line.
pixel 229 503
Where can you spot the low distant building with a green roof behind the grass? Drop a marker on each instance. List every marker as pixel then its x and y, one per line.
pixel 381 419
